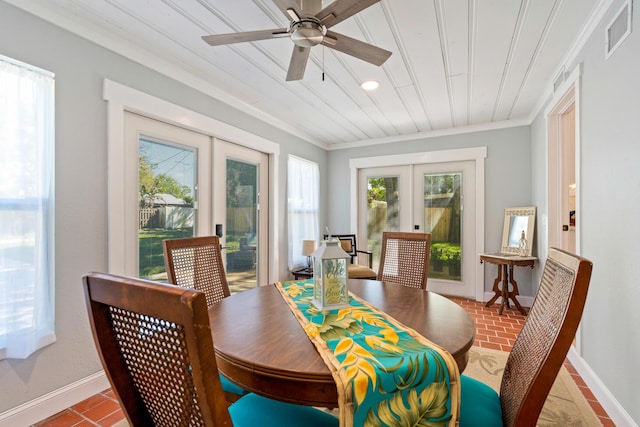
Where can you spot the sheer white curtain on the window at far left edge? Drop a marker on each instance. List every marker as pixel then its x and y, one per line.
pixel 26 209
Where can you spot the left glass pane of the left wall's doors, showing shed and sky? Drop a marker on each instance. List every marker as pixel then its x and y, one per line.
pixel 166 189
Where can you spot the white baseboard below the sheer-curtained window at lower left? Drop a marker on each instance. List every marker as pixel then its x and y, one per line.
pixel 51 403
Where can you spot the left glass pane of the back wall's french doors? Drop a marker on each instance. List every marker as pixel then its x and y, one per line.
pixel 383 208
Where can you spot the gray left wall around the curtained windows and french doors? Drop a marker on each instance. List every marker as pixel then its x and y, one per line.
pixel 81 183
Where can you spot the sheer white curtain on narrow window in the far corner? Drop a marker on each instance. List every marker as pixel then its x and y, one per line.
pixel 303 193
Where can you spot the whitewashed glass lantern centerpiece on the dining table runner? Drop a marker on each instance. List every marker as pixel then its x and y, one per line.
pixel 330 276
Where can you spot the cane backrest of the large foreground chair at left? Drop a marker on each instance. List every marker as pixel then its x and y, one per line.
pixel 154 341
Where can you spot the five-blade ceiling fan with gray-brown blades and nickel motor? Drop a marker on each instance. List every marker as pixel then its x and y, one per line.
pixel 309 28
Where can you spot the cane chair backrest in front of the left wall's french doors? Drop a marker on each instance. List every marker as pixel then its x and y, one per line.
pixel 196 263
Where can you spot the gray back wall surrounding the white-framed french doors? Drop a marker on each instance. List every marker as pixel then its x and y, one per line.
pixel 507 181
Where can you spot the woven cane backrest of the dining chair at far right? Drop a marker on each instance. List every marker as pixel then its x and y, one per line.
pixel 542 345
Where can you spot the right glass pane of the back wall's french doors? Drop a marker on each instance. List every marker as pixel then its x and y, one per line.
pixel 442 218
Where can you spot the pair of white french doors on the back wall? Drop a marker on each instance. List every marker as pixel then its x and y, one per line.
pixel 437 198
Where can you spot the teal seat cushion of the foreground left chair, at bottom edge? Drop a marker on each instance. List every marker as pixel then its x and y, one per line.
pixel 252 410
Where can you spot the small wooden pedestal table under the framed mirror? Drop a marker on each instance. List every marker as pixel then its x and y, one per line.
pixel 505 265
